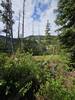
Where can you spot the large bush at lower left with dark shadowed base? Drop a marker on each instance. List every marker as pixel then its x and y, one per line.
pixel 19 78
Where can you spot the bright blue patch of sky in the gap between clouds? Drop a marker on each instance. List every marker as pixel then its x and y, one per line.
pixel 39 8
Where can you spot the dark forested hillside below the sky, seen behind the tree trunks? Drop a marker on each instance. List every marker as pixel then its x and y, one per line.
pixel 33 44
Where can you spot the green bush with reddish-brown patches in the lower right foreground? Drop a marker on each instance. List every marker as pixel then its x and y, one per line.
pixel 58 87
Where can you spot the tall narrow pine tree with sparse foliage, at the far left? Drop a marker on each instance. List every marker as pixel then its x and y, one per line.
pixel 8 22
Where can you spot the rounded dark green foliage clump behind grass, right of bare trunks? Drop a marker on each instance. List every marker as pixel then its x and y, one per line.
pixel 34 46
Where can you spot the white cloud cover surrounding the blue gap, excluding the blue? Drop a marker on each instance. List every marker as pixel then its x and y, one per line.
pixel 48 14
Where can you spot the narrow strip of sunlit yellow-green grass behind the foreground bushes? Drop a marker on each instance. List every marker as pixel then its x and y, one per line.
pixel 52 58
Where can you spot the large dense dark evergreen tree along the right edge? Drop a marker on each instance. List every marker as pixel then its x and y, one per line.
pixel 66 19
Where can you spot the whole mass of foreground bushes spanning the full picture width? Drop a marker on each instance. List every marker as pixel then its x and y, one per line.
pixel 23 78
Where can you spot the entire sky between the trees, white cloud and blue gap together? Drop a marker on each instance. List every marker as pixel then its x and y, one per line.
pixel 37 12
